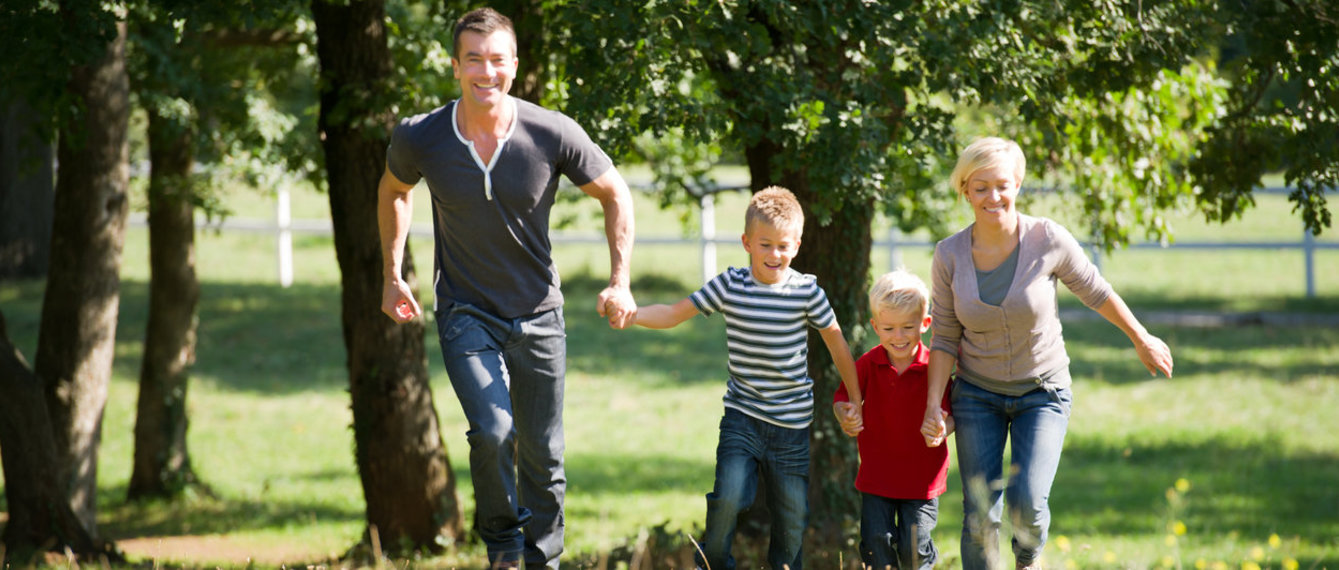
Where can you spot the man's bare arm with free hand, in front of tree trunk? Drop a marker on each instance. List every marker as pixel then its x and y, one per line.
pixel 394 213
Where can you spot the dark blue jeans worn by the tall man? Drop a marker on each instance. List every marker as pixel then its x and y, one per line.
pixel 508 375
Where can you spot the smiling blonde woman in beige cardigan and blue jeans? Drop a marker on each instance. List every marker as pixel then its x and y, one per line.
pixel 996 318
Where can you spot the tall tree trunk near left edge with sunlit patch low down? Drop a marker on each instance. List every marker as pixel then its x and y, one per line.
pixel 78 331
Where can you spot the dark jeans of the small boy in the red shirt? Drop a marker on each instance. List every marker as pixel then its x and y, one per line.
pixel 896 533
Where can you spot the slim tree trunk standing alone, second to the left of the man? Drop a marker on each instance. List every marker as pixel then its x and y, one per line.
pixel 161 461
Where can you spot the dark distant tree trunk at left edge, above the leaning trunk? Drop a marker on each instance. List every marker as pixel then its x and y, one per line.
pixel 26 196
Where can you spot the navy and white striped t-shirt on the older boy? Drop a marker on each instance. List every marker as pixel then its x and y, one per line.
pixel 767 332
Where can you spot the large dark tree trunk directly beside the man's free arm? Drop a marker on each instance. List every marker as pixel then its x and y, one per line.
pixel 408 482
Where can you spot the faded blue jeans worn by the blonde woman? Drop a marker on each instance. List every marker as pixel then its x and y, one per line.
pixel 1036 425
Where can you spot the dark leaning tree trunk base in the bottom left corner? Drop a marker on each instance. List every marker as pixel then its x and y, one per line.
pixel 35 480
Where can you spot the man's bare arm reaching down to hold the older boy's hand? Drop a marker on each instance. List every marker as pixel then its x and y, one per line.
pixel 617 300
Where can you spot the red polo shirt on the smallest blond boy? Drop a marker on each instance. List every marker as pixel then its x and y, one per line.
pixel 895 462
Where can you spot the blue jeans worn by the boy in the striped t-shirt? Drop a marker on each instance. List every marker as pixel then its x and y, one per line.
pixel 751 449
